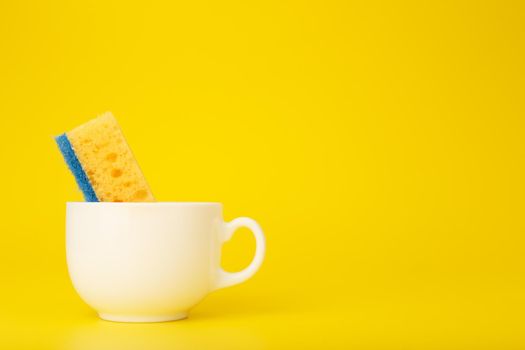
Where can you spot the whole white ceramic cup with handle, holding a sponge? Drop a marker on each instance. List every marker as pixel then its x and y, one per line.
pixel 151 262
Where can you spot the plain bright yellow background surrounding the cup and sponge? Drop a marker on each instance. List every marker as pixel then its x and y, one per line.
pixel 379 144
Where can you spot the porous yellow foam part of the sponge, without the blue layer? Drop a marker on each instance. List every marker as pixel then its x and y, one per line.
pixel 113 171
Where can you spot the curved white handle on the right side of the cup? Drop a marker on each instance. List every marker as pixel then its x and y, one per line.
pixel 226 279
